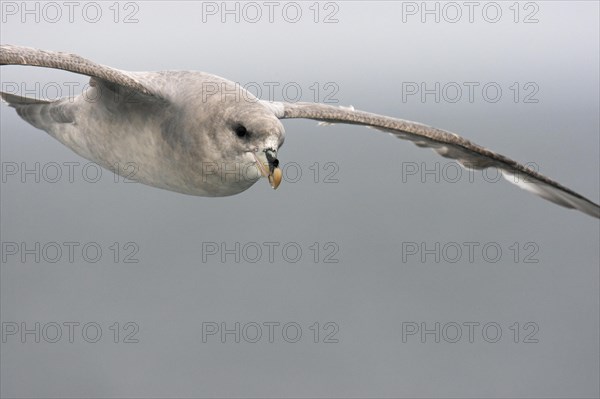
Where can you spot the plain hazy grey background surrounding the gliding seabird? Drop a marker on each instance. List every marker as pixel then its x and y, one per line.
pixel 371 216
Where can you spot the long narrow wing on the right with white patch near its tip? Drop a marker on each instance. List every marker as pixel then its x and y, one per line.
pixel 446 144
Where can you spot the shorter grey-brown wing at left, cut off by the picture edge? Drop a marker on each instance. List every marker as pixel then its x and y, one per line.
pixel 18 55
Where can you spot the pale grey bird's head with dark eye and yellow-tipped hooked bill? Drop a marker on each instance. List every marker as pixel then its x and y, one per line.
pixel 238 134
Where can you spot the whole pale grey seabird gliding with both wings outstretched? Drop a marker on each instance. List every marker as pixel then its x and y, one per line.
pixel 185 132
